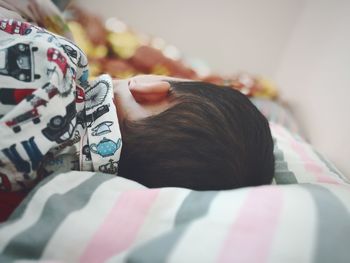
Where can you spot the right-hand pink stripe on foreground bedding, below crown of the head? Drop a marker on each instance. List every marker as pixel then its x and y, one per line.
pixel 251 234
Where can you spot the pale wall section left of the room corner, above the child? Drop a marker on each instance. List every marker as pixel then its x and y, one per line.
pixel 231 35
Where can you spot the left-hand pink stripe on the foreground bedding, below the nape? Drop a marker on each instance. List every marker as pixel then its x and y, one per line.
pixel 121 226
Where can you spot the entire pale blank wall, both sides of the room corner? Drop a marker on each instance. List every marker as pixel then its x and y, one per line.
pixel 302 46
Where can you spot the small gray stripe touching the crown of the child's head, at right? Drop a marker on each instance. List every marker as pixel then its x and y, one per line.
pixel 282 174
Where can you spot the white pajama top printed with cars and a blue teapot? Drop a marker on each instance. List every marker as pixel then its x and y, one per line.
pixel 48 106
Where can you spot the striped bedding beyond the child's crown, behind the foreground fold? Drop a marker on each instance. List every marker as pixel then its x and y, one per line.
pixel 296 160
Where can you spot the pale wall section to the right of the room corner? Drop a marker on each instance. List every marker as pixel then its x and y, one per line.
pixel 314 76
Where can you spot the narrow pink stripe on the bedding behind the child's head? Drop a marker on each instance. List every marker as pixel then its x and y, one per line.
pixel 311 166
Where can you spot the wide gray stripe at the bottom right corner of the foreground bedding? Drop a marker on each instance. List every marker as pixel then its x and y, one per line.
pixel 333 228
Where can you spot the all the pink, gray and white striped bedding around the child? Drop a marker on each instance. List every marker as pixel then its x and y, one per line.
pixel 304 216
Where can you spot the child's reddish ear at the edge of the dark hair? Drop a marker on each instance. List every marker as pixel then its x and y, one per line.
pixel 152 92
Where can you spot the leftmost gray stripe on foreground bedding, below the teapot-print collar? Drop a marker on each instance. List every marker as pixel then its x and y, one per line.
pixel 30 243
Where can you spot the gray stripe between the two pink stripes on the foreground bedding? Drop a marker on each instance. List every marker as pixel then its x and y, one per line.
pixel 195 205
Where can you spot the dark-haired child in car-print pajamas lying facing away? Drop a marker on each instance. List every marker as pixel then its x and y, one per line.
pixel 156 130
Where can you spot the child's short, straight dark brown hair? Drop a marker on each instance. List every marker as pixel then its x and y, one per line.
pixel 212 138
